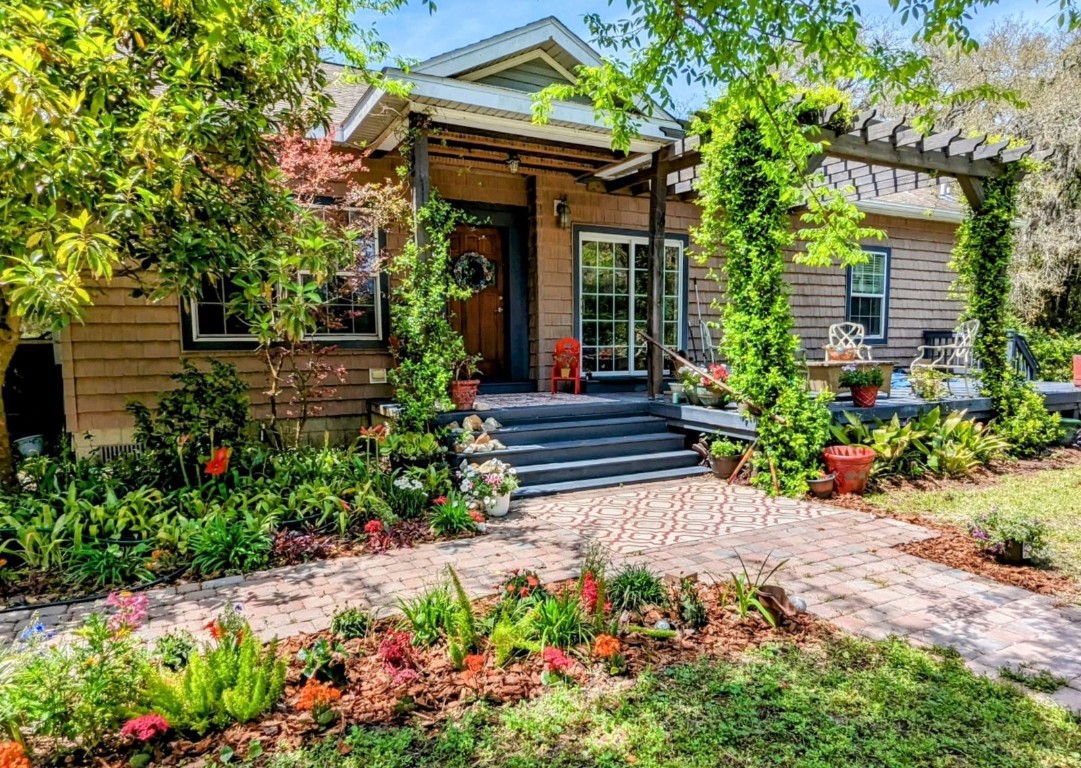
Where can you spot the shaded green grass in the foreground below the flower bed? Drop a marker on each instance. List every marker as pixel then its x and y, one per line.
pixel 851 704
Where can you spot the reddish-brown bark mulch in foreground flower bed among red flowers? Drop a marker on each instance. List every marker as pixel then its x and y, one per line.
pixel 442 693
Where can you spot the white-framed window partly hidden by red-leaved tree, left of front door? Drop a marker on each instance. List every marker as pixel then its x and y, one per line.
pixel 354 309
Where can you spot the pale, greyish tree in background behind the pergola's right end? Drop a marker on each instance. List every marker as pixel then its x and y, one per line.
pixel 1042 70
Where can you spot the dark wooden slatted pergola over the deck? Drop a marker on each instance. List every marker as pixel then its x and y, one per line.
pixel 876 156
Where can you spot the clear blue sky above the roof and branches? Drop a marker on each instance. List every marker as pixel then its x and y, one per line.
pixel 416 34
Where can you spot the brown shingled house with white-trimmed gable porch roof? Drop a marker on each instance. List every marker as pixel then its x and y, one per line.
pixel 567 230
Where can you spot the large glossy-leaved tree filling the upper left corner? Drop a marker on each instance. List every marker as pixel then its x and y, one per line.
pixel 137 138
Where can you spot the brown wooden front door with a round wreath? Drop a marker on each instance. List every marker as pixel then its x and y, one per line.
pixel 482 320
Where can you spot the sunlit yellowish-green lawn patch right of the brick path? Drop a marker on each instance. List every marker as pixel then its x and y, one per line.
pixel 1053 496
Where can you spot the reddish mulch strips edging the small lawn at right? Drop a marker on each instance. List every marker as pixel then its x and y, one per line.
pixel 956 549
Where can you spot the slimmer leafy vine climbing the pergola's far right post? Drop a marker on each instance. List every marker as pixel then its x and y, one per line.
pixel 982 260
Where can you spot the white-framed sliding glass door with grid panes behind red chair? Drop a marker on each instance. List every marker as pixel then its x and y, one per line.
pixel 613 284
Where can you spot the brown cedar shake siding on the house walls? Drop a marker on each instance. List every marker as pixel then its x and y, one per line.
pixel 127 350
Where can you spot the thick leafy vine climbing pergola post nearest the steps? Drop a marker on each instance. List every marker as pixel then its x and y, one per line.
pixel 746 193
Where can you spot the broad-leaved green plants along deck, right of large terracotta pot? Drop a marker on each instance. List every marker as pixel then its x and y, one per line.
pixel 947 445
